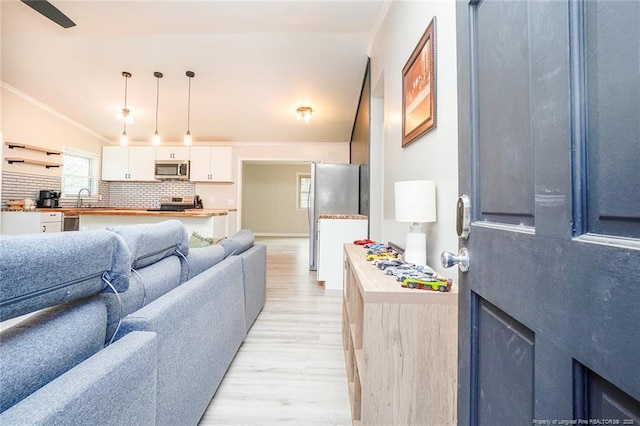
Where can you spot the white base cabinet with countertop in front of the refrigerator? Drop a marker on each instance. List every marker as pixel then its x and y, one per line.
pixel 333 232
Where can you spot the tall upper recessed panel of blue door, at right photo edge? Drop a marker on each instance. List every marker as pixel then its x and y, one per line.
pixel 611 90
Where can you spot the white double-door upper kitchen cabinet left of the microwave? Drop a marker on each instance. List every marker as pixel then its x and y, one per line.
pixel 128 163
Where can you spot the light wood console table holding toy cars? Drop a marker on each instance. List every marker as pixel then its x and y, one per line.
pixel 401 348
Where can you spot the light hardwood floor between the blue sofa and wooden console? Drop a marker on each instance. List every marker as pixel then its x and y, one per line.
pixel 290 369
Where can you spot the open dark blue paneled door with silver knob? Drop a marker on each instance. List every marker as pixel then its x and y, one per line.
pixel 549 109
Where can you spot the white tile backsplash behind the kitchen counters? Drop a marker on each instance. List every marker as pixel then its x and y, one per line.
pixel 114 194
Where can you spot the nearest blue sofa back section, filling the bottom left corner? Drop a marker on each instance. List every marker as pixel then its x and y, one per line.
pixel 116 386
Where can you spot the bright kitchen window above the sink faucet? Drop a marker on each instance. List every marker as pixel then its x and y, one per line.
pixel 79 171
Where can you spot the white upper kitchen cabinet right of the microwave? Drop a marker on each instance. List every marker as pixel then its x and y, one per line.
pixel 211 164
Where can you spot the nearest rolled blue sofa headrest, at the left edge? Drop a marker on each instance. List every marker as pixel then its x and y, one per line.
pixel 42 270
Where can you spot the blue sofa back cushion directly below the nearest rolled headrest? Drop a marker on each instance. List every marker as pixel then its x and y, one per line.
pixel 47 344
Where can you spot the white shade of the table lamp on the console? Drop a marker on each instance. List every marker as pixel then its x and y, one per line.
pixel 415 201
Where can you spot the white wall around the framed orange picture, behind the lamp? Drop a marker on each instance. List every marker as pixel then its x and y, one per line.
pixel 434 156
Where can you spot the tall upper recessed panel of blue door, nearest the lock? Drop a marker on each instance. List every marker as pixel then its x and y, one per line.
pixel 504 133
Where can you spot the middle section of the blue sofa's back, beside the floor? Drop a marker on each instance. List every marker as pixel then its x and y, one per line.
pixel 200 326
